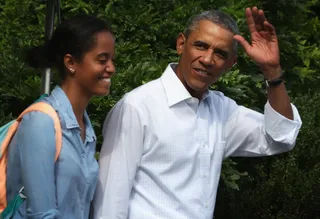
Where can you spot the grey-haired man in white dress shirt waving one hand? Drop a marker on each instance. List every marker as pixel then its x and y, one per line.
pixel 165 141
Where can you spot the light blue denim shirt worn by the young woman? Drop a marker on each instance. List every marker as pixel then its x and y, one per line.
pixel 54 190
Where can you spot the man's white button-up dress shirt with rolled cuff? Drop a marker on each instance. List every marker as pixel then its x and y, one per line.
pixel 163 149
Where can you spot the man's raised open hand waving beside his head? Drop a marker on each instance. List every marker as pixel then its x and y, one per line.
pixel 264 49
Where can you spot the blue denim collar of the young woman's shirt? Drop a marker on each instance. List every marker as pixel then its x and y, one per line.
pixel 65 110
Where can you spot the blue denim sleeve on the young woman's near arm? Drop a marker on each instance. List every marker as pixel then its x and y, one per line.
pixel 37 148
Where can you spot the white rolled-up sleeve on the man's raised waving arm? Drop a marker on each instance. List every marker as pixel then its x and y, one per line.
pixel 250 133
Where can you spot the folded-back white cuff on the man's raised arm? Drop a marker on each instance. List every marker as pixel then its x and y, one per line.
pixel 280 128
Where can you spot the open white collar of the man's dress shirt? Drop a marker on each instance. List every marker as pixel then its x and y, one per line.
pixel 174 89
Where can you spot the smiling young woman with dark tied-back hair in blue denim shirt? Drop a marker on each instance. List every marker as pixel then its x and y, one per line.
pixel 81 49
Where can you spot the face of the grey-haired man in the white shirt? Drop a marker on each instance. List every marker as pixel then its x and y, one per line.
pixel 205 55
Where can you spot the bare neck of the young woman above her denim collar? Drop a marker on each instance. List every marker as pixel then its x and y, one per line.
pixel 78 99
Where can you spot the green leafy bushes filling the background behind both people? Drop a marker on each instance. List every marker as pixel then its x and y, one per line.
pixel 279 187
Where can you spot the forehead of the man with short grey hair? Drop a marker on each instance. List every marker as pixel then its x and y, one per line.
pixel 212 34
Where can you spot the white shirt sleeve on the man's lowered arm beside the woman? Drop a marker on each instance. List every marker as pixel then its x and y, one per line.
pixel 119 159
